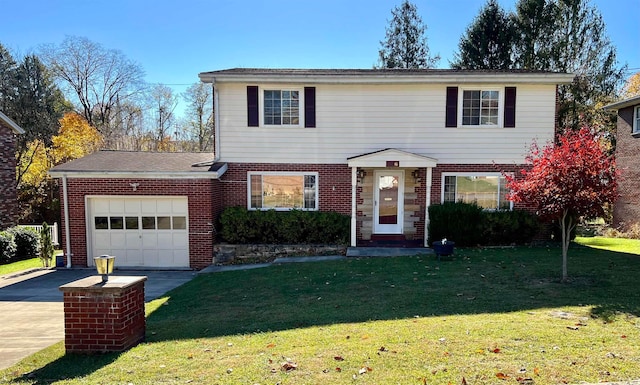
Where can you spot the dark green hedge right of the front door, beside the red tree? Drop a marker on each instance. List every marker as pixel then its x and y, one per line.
pixel 467 224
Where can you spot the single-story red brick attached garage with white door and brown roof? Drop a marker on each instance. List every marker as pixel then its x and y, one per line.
pixel 149 210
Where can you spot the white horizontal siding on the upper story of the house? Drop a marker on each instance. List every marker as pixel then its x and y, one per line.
pixel 353 119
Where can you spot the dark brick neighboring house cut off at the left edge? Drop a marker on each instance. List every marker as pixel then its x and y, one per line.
pixel 8 195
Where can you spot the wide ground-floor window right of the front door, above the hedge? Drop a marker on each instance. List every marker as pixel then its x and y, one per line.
pixel 489 191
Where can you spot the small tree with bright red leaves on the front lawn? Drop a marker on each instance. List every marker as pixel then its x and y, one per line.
pixel 570 179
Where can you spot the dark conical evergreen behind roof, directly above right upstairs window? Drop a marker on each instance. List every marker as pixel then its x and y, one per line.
pixel 488 41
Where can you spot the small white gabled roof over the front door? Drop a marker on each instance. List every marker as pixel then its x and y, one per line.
pixel 391 157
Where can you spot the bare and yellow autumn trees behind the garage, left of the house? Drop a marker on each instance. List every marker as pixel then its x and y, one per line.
pixel 77 97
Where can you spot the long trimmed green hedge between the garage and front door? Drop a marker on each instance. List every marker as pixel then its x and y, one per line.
pixel 241 226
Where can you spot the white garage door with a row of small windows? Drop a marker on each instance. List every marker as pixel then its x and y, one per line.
pixel 140 231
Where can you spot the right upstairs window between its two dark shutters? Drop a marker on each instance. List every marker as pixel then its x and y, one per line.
pixel 480 107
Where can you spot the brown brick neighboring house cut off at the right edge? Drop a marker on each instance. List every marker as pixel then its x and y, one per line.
pixel 626 211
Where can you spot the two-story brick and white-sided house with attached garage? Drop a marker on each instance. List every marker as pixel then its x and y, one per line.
pixel 377 145
